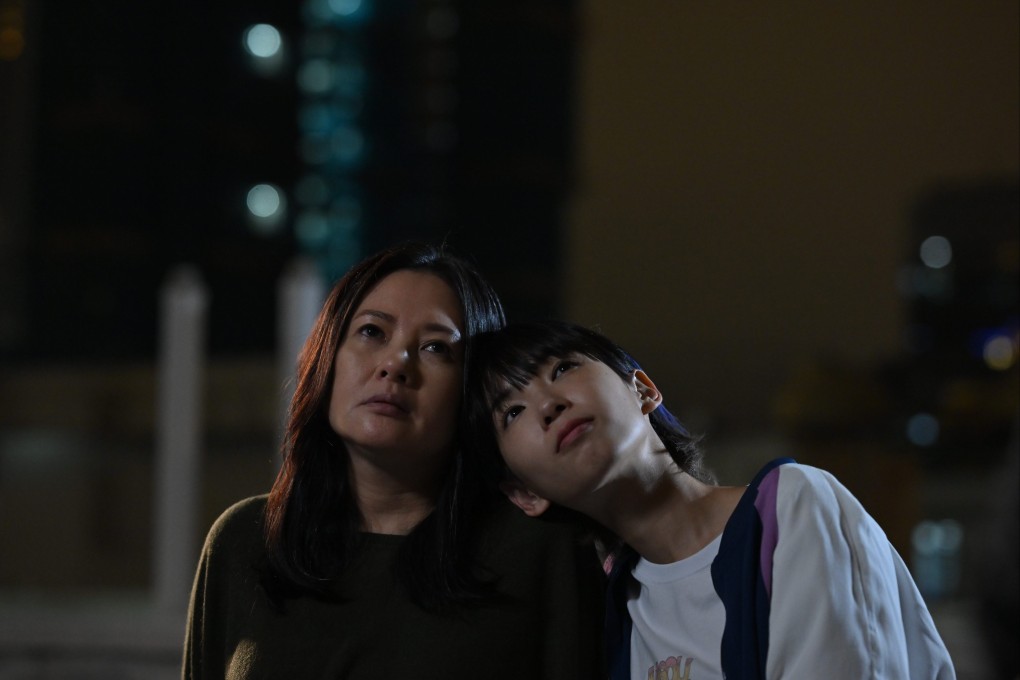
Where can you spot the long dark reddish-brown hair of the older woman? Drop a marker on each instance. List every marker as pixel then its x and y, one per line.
pixel 313 521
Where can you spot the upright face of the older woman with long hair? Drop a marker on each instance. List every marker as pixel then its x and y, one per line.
pixel 398 374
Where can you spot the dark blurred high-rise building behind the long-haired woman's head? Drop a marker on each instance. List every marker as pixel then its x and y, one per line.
pixel 149 125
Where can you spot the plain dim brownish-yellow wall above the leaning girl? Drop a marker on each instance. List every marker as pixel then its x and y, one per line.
pixel 747 172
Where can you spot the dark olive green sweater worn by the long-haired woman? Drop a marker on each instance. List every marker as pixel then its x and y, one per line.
pixel 546 624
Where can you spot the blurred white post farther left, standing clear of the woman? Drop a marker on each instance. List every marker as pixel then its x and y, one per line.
pixel 184 301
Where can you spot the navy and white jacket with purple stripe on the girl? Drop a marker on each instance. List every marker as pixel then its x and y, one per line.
pixel 811 587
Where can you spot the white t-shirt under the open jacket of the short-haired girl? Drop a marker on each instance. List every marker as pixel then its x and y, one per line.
pixel 678 619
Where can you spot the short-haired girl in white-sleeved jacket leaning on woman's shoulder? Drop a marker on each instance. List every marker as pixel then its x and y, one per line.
pixel 786 579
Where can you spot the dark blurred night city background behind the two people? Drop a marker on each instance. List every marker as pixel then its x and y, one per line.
pixel 738 194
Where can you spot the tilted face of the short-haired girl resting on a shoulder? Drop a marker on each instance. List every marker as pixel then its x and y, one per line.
pixel 572 430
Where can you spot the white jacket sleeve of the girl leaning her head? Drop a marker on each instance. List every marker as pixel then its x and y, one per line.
pixel 844 604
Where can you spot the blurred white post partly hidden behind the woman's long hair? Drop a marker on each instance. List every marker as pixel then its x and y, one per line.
pixel 300 294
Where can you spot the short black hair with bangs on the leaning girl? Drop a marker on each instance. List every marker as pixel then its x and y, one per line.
pixel 512 357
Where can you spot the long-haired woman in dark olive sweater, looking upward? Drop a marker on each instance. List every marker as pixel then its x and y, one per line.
pixel 378 551
